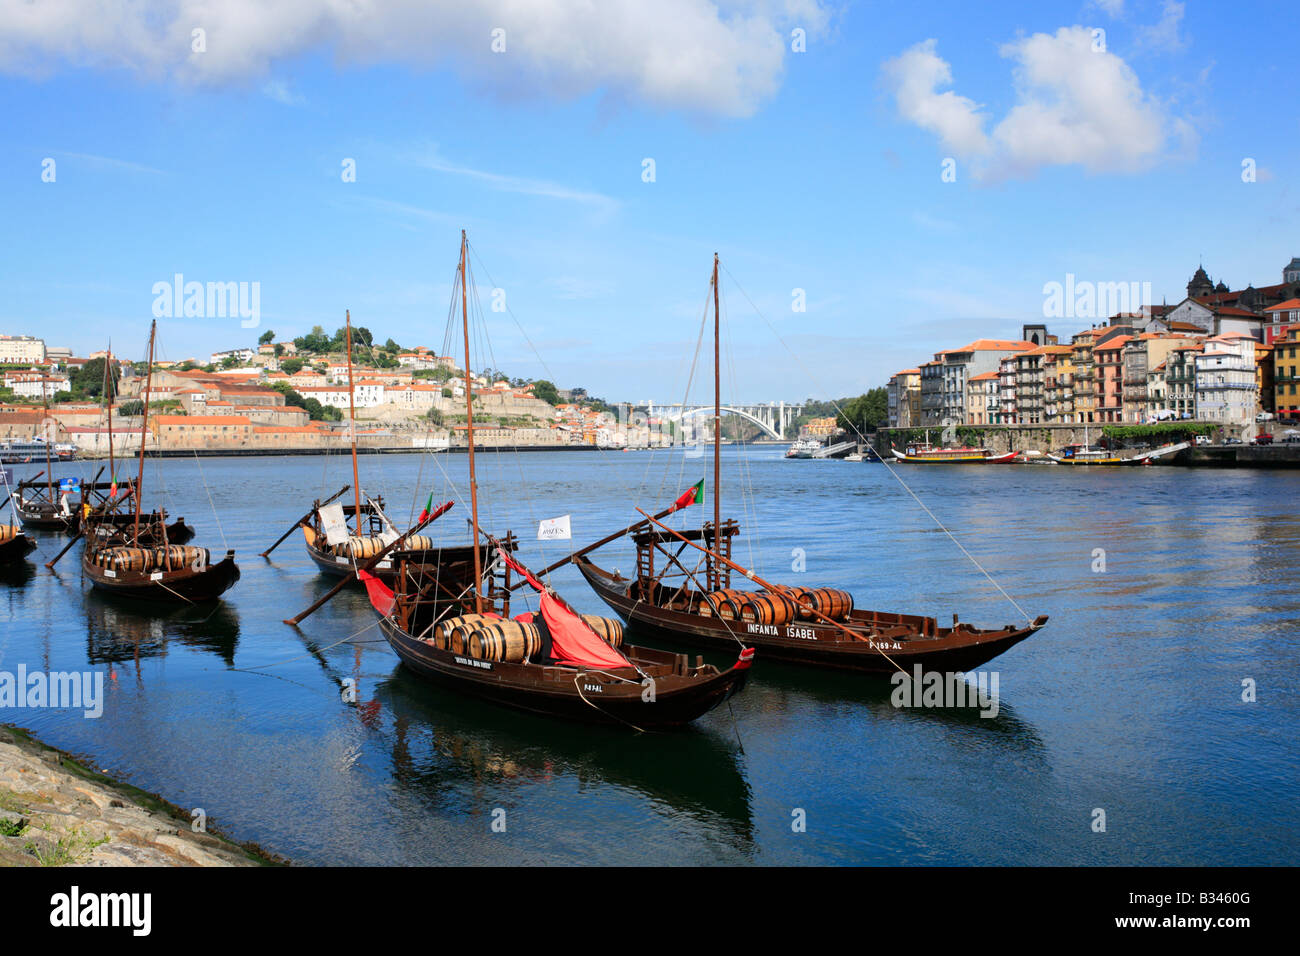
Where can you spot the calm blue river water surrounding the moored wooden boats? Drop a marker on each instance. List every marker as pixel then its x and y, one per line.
pixel 1130 700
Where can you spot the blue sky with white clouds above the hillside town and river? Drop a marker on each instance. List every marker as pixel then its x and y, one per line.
pixel 817 171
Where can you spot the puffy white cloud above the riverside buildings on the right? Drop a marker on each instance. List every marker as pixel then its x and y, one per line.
pixel 1074 106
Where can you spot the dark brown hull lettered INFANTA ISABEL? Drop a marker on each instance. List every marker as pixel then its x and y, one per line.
pixel 818 644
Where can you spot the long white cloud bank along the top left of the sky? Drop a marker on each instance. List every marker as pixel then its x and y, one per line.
pixel 714 57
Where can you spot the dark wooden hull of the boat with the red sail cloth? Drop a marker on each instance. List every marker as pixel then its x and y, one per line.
pixel 565 693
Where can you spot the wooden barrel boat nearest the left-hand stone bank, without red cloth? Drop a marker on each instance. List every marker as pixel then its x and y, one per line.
pixel 137 560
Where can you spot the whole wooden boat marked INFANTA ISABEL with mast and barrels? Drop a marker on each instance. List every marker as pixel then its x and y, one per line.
pixel 813 626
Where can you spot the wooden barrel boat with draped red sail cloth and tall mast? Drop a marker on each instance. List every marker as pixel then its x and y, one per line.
pixel 552 663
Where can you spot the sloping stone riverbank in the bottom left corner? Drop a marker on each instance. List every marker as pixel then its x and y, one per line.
pixel 57 812
